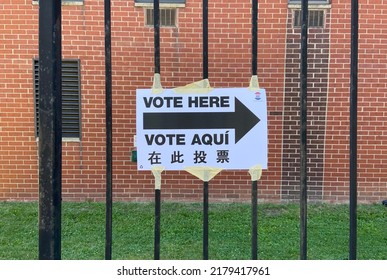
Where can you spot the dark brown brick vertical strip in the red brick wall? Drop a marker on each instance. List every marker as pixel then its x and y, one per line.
pixel 318 66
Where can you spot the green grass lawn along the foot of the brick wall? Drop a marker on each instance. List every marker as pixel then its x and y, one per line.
pixel 83 231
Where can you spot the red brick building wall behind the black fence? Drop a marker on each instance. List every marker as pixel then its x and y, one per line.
pixel 181 63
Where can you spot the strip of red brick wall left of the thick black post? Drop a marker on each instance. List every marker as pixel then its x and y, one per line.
pixel 18 148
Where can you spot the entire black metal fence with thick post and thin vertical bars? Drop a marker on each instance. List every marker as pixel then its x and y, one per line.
pixel 50 137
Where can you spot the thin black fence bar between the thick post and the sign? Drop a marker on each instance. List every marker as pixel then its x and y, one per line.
pixel 109 136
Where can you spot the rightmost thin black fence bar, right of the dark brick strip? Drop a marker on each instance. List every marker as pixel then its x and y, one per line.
pixel 353 130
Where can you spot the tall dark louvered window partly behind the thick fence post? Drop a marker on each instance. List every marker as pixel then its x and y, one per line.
pixel 71 91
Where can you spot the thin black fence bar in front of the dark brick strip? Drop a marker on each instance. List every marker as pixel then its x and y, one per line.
pixel 303 130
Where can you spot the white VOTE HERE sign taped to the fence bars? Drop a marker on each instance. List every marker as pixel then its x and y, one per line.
pixel 225 128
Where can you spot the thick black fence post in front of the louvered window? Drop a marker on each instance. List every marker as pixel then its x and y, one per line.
pixel 50 129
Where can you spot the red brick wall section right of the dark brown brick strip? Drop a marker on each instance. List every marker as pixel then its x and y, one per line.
pixel 372 130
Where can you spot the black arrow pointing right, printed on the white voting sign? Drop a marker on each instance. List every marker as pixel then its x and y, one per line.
pixel 242 120
